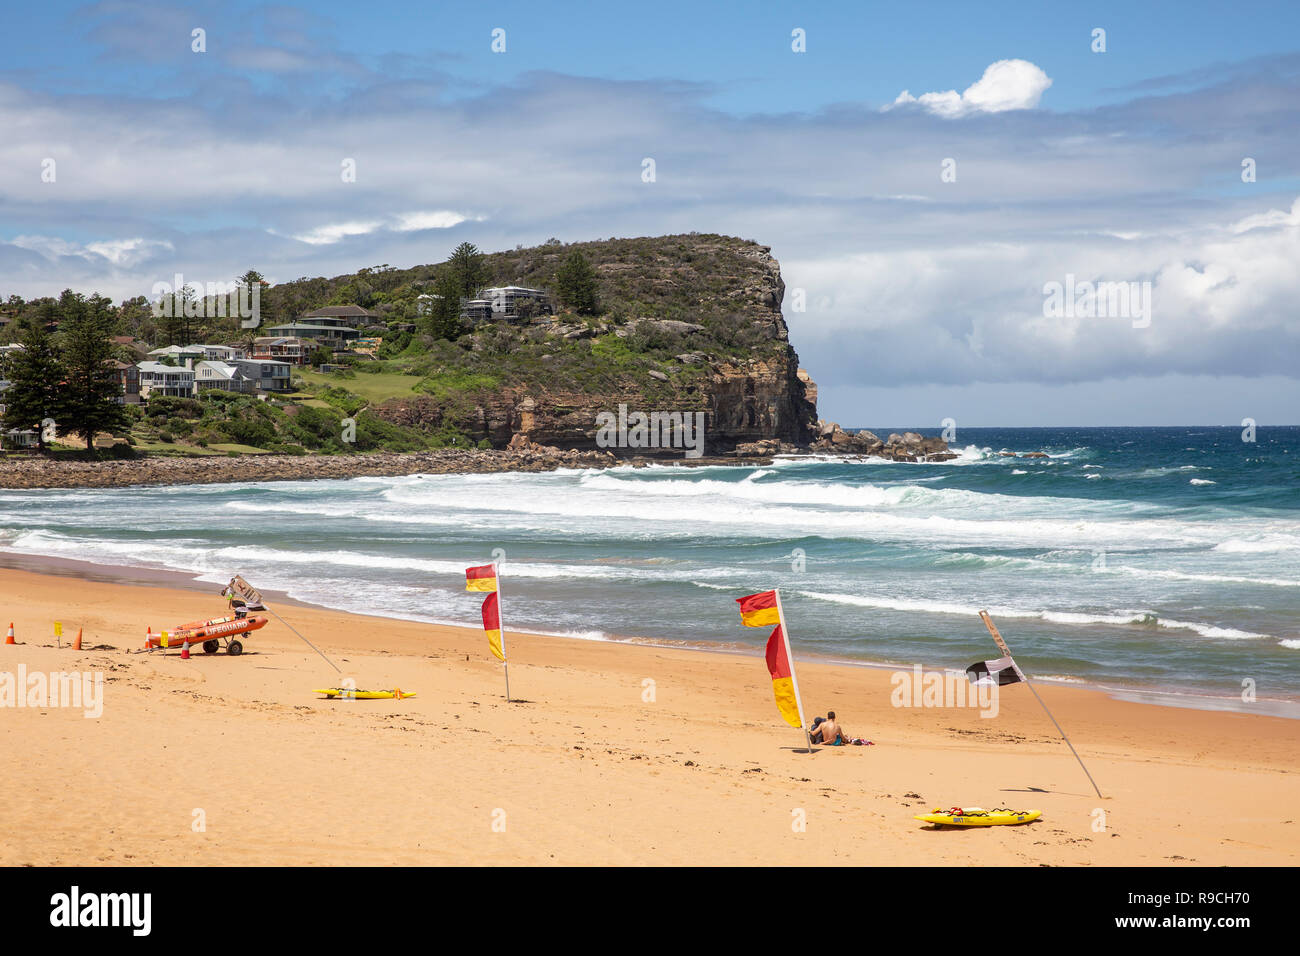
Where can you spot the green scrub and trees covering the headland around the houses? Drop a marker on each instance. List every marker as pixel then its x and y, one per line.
pixel 645 319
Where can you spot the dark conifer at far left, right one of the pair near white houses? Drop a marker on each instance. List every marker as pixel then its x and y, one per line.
pixel 88 403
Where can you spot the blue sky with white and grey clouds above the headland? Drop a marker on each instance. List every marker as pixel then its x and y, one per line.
pixel 925 299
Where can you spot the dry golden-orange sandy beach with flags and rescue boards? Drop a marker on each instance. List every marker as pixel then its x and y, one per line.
pixel 235 762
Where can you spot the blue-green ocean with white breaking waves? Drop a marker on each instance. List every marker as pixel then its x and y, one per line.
pixel 1133 559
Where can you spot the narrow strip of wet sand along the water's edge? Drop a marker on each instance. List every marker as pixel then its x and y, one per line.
pixel 133 576
